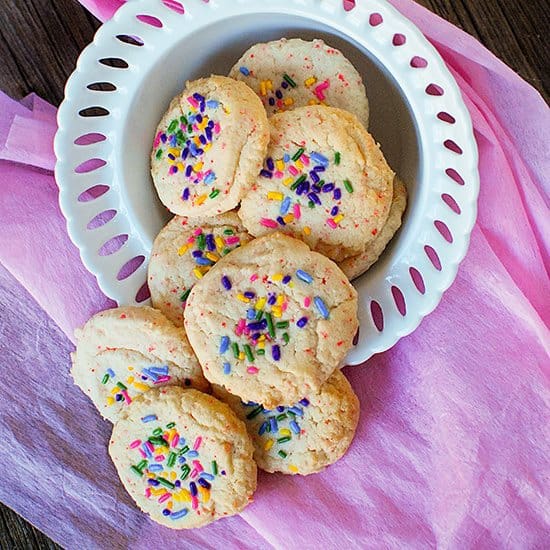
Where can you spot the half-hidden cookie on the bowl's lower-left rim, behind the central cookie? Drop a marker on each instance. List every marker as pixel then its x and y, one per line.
pixel 183 252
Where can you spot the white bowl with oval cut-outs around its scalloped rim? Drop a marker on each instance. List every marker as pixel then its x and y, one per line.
pixel 417 115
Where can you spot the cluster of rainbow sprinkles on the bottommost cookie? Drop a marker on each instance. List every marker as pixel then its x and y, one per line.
pixel 172 471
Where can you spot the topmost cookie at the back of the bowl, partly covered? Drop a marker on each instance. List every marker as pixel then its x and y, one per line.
pixel 294 73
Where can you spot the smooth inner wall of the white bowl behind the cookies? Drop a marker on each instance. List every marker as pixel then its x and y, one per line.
pixel 214 50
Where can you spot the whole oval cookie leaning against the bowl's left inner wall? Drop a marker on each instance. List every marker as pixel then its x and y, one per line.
pixel 208 146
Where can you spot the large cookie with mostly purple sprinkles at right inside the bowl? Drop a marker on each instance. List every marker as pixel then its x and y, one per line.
pixel 324 181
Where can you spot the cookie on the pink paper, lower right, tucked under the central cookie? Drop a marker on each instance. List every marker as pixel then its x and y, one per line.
pixel 306 437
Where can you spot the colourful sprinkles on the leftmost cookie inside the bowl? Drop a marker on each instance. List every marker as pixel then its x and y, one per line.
pixel 185 142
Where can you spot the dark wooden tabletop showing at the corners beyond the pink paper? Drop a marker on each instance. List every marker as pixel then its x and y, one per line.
pixel 40 42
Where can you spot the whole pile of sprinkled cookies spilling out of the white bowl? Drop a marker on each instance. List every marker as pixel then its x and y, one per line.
pixel 237 363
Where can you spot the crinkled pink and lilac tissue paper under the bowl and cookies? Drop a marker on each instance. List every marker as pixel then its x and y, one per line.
pixel 452 448
